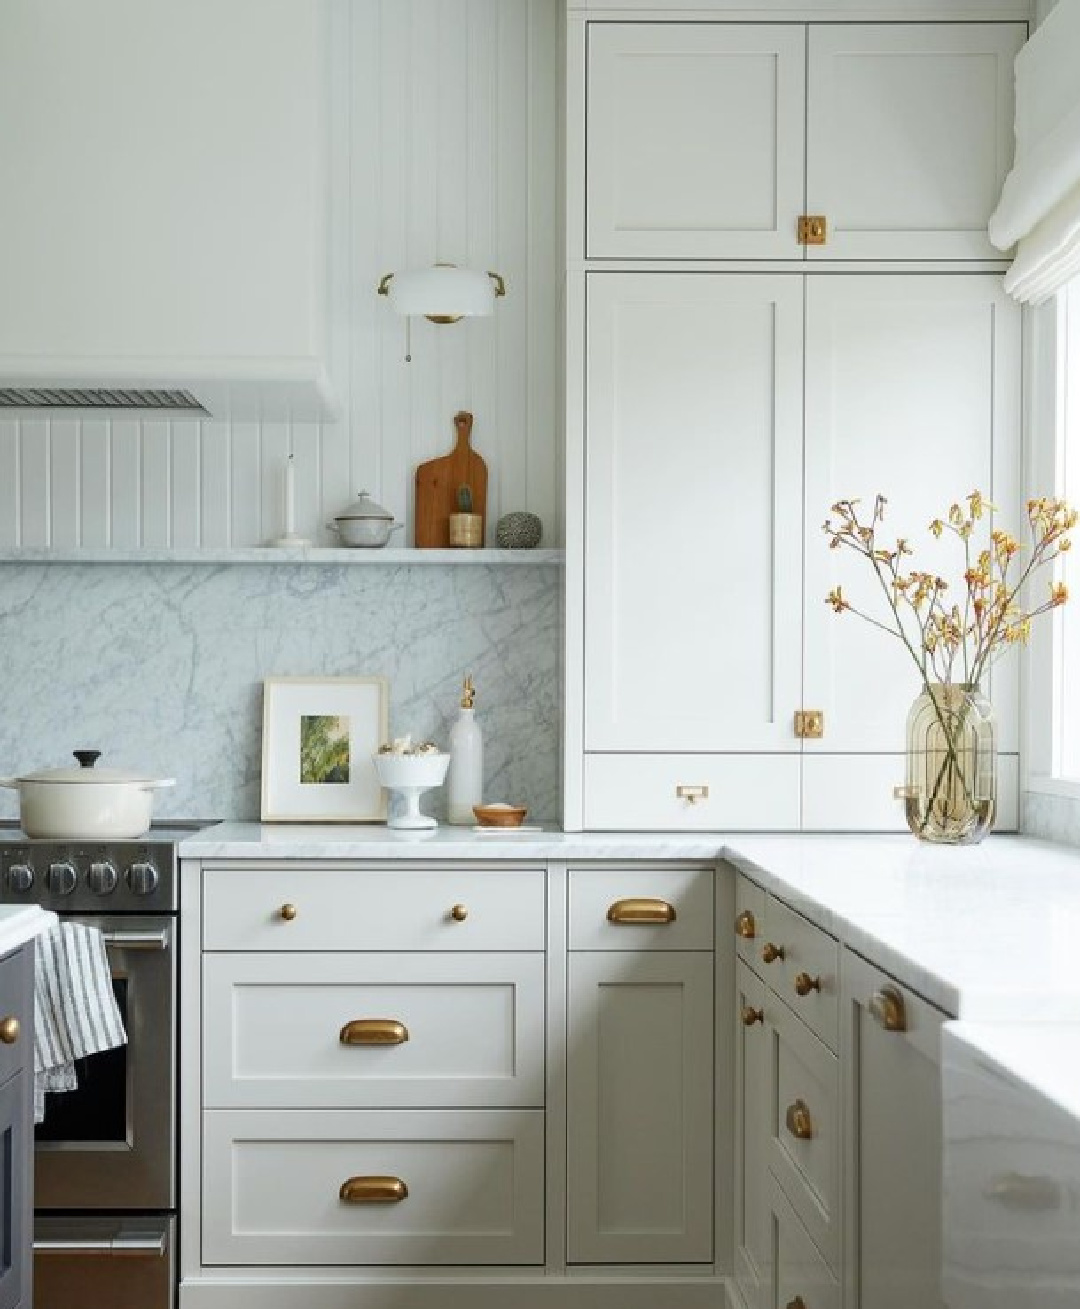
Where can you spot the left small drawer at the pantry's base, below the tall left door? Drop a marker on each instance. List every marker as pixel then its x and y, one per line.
pixel 641 793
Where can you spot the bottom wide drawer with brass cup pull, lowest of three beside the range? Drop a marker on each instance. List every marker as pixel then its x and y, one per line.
pixel 473 1188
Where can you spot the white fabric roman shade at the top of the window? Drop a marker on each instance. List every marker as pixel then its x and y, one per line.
pixel 1040 206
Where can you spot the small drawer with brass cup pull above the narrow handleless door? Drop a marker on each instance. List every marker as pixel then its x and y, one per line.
pixel 617 909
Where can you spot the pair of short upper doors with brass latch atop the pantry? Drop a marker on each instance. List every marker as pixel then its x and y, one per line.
pixel 713 141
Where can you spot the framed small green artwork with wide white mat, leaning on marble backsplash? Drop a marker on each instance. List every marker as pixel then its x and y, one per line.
pixel 319 739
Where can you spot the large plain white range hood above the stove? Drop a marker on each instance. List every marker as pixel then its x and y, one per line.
pixel 163 235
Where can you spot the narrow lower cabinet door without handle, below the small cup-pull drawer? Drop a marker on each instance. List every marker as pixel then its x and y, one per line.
pixel 639 1108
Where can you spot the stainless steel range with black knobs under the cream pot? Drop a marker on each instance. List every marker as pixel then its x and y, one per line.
pixel 105 1174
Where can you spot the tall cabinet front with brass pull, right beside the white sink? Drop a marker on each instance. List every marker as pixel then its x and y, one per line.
pixel 893 1155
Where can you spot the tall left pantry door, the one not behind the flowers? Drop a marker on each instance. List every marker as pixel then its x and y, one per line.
pixel 692 540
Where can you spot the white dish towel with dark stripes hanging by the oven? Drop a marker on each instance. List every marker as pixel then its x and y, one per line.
pixel 75 1009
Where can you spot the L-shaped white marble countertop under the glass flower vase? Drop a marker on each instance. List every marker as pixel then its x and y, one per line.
pixel 985 933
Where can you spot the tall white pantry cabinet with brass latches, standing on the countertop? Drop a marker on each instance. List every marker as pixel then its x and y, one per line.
pixel 781 294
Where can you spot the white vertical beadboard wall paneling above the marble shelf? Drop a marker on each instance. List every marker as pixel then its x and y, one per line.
pixel 444 147
